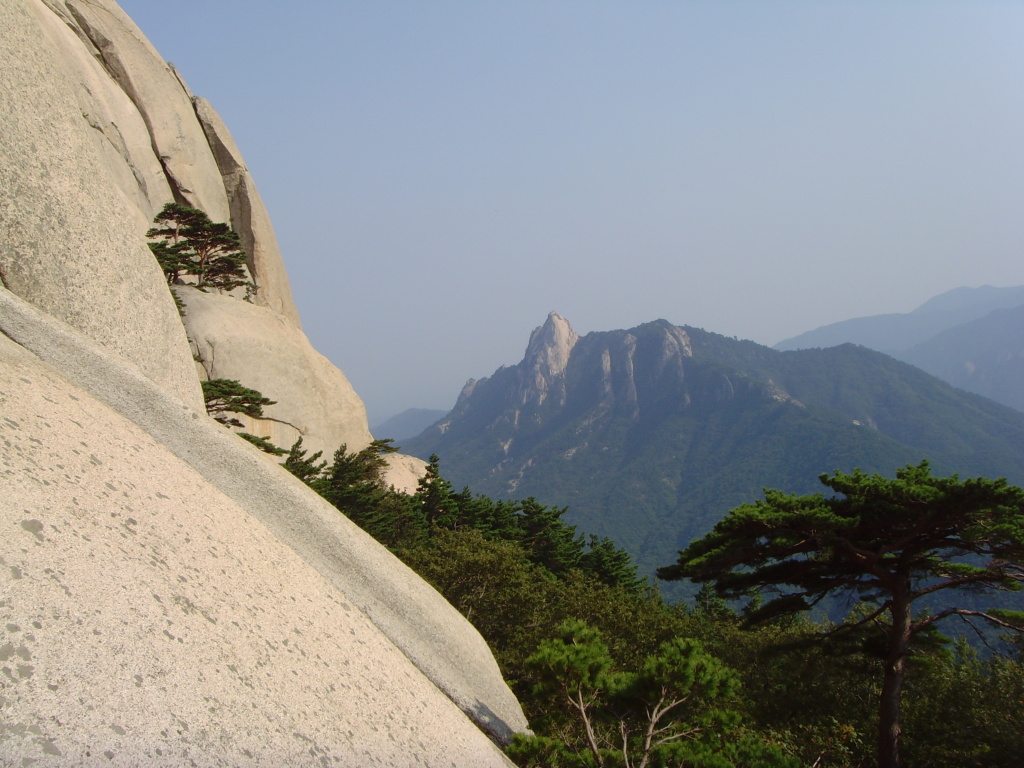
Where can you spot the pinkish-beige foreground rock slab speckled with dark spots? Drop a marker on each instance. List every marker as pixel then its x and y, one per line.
pixel 148 619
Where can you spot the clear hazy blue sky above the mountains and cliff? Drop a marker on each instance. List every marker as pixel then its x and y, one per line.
pixel 442 175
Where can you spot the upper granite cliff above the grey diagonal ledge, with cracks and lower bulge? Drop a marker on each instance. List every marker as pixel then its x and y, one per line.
pixel 116 134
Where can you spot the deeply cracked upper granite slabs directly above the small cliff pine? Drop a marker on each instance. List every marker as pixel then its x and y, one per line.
pixel 186 152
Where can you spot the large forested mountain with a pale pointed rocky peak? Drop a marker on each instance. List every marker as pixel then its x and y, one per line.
pixel 651 436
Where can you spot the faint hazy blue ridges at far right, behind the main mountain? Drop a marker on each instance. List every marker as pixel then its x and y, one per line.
pixel 972 338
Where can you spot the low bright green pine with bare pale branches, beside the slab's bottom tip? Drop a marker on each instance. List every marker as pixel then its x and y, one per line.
pixel 672 709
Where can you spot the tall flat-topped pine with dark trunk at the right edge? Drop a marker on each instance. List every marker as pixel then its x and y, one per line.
pixel 913 542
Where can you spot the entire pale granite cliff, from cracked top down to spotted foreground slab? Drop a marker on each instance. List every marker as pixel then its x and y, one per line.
pixel 169 593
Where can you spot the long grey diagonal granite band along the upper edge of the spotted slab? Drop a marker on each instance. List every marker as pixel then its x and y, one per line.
pixel 409 612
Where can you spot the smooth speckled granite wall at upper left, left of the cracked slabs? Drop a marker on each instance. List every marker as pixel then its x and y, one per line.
pixel 69 238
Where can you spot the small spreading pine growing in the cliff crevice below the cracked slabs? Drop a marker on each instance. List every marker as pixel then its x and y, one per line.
pixel 187 243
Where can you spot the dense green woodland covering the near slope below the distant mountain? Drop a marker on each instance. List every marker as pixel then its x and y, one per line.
pixel 789 700
